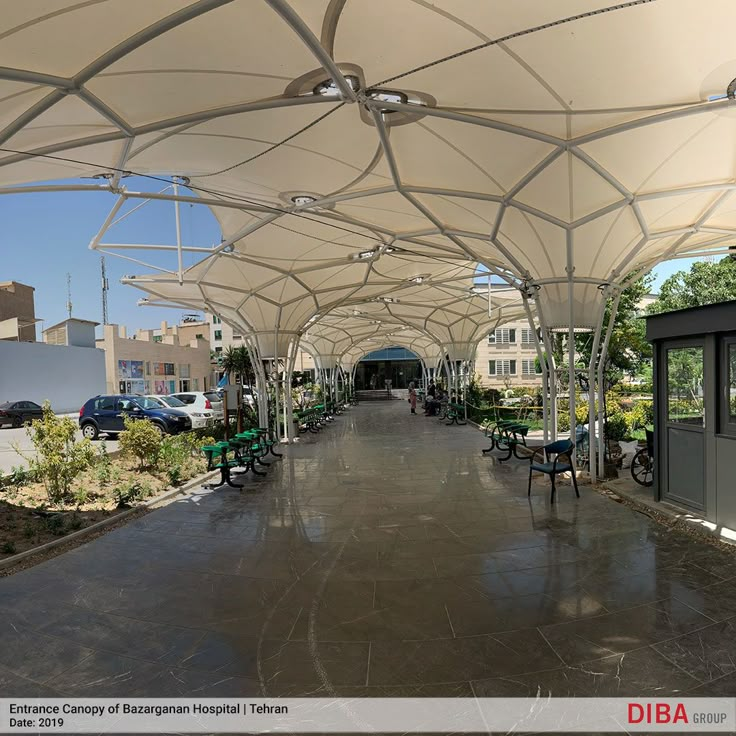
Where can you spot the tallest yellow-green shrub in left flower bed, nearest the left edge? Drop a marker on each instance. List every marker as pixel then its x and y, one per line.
pixel 59 457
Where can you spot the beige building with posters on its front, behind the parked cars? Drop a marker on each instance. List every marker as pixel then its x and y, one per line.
pixel 161 361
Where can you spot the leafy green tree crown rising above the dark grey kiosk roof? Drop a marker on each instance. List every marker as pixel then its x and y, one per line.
pixel 705 283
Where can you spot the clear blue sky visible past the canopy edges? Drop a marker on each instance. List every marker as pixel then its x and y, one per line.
pixel 45 236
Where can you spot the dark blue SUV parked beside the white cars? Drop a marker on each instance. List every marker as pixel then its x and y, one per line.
pixel 106 413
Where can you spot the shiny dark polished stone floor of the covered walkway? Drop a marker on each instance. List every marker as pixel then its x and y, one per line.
pixel 384 556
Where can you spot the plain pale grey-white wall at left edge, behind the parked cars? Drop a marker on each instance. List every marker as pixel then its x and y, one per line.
pixel 66 376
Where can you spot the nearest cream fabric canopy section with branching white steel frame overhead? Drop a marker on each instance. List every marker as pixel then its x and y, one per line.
pixel 567 145
